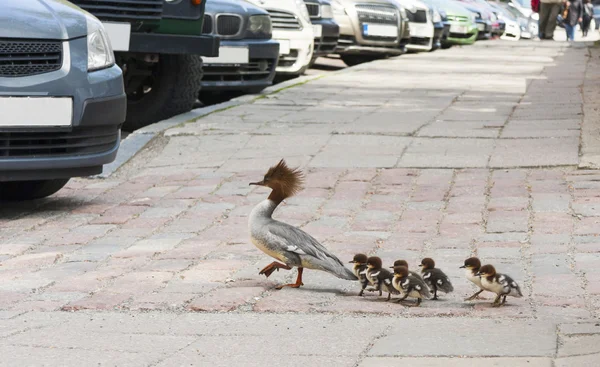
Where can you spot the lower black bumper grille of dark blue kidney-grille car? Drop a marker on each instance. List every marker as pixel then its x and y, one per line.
pixel 255 70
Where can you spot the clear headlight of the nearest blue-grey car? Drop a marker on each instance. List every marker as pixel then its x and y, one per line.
pixel 100 53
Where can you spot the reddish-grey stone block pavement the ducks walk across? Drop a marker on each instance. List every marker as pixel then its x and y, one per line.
pixel 467 151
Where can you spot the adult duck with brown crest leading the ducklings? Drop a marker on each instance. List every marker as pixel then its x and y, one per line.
pixel 288 244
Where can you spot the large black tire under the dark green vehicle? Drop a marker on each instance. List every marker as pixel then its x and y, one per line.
pixel 174 86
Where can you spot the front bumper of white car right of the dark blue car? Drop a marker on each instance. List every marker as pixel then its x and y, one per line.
pixel 300 50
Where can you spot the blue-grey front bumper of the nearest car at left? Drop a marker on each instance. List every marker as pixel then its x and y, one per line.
pixel 92 139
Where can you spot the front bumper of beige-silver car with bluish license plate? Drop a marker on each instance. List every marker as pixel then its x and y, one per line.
pixel 352 41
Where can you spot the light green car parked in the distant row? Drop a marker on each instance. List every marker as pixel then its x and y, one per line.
pixel 463 26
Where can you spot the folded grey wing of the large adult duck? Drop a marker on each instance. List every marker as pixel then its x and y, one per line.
pixel 309 249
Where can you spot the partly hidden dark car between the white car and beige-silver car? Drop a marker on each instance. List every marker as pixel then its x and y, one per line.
pixel 325 29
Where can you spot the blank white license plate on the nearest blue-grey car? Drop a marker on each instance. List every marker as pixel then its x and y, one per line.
pixel 35 111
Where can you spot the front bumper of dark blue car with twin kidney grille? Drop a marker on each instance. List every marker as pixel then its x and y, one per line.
pixel 259 71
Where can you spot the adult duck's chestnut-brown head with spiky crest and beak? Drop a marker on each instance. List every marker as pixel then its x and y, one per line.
pixel 283 180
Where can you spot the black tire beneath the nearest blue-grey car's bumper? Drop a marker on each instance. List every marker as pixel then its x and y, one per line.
pixel 30 190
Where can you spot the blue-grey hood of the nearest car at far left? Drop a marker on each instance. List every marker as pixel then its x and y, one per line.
pixel 42 19
